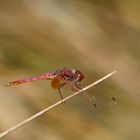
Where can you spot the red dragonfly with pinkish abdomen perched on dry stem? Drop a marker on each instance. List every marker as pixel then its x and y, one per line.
pixel 59 78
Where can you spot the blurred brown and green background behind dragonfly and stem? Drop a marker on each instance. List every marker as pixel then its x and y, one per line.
pixel 95 37
